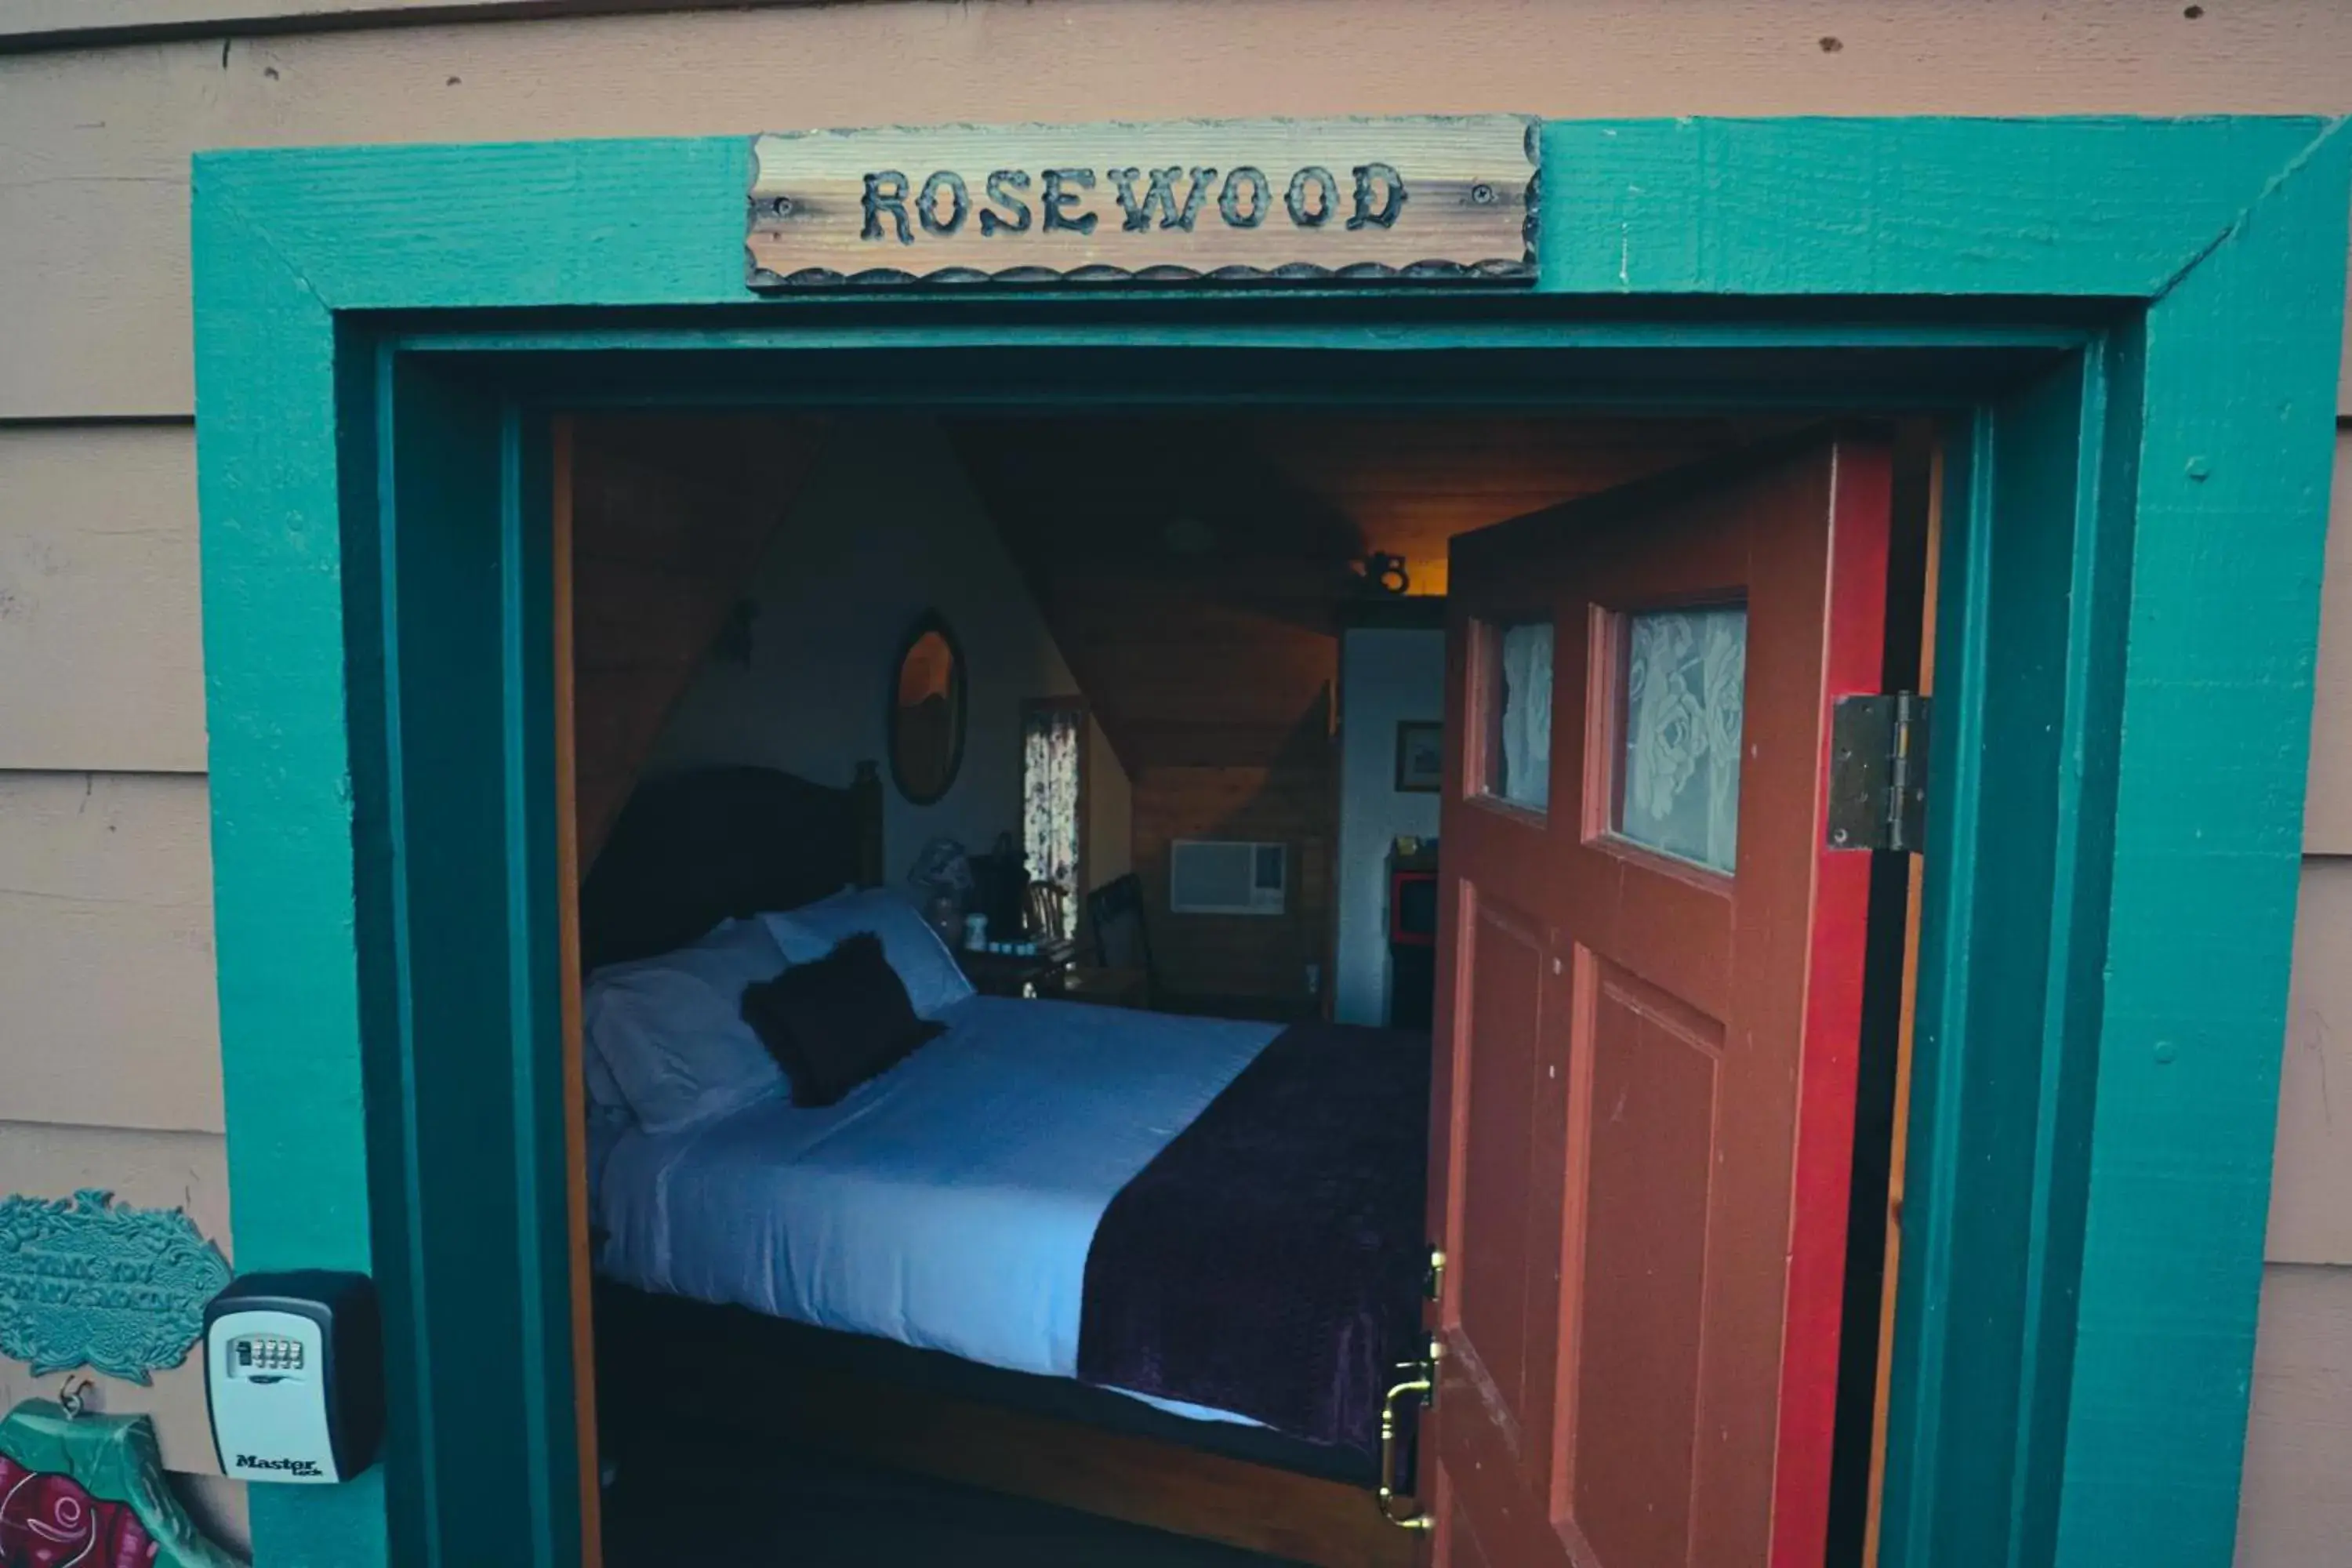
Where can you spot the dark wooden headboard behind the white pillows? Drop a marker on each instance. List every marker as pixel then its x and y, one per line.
pixel 693 850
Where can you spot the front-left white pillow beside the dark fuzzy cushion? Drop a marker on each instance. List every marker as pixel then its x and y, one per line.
pixel 671 1028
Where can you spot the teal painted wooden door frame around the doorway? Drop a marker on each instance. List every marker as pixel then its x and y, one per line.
pixel 2132 330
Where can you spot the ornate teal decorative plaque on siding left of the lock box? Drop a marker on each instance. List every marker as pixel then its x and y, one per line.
pixel 91 1285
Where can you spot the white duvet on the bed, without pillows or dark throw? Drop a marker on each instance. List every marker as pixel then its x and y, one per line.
pixel 947 1205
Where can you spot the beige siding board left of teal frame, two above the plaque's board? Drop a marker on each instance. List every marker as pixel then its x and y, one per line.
pixel 100 608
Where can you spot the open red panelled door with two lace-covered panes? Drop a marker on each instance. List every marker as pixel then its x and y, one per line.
pixel 1648 1017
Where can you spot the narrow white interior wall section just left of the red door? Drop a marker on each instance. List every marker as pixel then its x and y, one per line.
pixel 1384 676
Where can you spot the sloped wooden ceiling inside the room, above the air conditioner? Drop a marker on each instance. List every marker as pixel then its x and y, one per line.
pixel 1196 570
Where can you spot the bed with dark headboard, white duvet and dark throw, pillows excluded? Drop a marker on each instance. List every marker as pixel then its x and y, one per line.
pixel 1053 1207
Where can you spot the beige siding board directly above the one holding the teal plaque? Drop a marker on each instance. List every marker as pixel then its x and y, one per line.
pixel 107 972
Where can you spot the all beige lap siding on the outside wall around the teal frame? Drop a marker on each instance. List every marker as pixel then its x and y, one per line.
pixel 107 1007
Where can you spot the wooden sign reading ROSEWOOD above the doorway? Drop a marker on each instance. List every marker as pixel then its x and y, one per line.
pixel 1210 201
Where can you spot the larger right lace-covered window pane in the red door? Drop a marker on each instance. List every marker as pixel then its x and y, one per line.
pixel 1685 695
